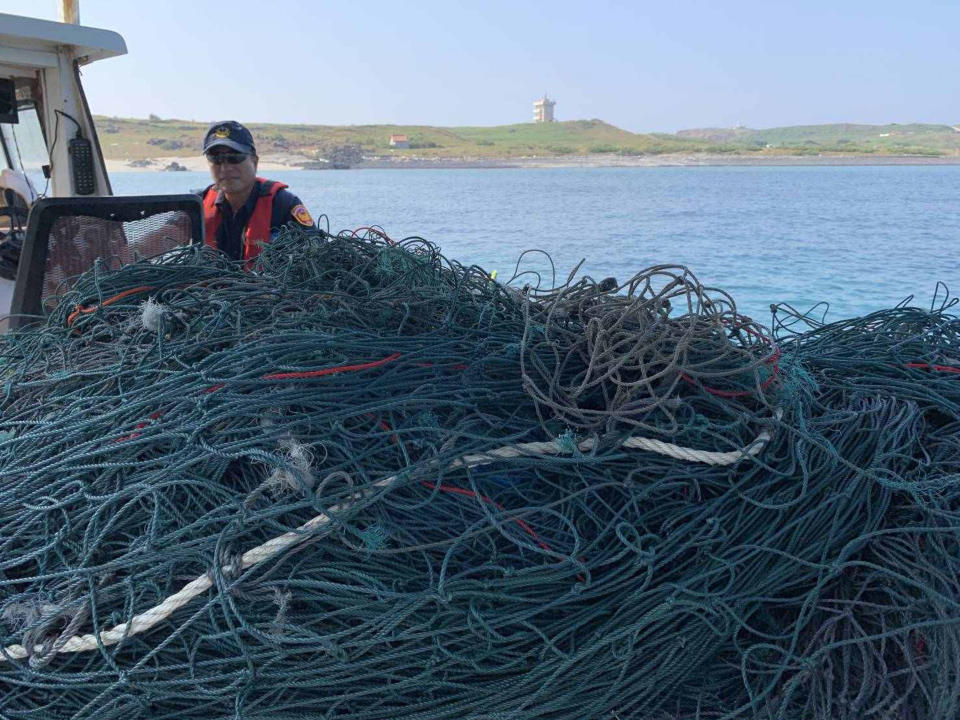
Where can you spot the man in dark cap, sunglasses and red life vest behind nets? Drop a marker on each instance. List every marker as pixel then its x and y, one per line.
pixel 241 210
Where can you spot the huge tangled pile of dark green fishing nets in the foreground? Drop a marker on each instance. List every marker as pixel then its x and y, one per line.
pixel 364 481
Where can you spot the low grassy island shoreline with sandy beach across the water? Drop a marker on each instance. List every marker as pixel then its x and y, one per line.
pixel 137 140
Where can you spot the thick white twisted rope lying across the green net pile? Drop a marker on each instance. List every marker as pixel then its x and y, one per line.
pixel 273 547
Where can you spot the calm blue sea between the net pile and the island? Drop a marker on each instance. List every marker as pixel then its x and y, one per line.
pixel 861 238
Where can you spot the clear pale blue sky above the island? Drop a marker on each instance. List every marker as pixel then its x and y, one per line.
pixel 642 66
